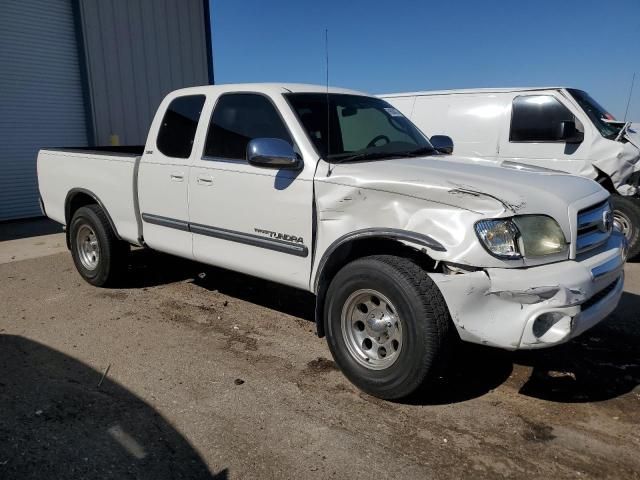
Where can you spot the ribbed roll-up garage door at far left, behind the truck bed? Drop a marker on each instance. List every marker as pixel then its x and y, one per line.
pixel 41 102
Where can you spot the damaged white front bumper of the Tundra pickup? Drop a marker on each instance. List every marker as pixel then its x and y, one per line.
pixel 525 308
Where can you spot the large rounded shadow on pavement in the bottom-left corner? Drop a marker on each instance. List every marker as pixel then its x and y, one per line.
pixel 55 422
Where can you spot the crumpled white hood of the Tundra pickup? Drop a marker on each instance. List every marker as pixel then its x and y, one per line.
pixel 470 183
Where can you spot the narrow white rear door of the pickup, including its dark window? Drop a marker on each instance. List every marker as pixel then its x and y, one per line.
pixel 163 178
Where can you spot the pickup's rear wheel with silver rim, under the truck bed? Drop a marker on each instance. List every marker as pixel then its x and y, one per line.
pixel 98 255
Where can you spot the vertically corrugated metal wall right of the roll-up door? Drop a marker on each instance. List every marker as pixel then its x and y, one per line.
pixel 138 51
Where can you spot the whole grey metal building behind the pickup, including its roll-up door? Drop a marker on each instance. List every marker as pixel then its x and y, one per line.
pixel 88 72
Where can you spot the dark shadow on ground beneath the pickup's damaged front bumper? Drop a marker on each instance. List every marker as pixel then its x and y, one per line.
pixel 601 364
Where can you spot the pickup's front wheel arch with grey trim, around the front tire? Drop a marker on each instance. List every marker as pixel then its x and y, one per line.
pixel 366 242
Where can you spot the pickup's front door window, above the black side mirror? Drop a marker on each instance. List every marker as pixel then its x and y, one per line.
pixel 237 119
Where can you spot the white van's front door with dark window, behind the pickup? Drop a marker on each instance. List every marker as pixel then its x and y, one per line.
pixel 531 134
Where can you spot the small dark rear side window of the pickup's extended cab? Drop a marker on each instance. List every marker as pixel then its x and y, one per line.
pixel 178 128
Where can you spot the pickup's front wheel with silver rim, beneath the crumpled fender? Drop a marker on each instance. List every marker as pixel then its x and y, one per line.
pixel 387 325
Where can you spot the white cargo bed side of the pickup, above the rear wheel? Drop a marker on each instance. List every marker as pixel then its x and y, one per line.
pixel 106 173
